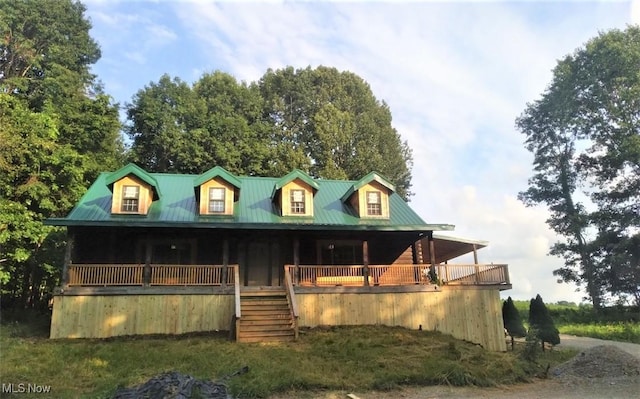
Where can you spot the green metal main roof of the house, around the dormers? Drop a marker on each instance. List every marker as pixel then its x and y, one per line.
pixel 254 210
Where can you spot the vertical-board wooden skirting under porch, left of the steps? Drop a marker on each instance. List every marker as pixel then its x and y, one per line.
pixel 102 316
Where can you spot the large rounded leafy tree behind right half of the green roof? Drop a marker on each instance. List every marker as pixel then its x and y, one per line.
pixel 330 124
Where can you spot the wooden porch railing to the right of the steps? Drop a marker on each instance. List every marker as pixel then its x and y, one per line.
pixel 323 275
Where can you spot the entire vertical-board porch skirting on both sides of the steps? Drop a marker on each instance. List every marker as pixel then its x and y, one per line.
pixel 473 315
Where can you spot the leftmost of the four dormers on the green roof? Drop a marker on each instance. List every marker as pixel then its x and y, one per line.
pixel 133 190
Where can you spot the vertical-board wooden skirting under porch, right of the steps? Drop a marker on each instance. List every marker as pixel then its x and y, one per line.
pixel 471 315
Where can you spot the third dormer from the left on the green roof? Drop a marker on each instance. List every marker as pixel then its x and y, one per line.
pixel 294 194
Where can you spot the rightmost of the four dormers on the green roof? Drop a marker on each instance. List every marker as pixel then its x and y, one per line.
pixel 369 196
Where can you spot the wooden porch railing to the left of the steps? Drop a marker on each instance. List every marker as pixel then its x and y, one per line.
pixel 105 275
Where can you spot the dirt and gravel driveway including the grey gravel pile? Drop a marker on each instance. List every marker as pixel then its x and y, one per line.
pixel 602 369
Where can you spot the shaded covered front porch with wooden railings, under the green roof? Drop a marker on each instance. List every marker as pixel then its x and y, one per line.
pixel 148 258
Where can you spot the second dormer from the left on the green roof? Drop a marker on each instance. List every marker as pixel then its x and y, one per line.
pixel 216 191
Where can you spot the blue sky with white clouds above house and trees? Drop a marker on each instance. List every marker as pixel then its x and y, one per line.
pixel 455 75
